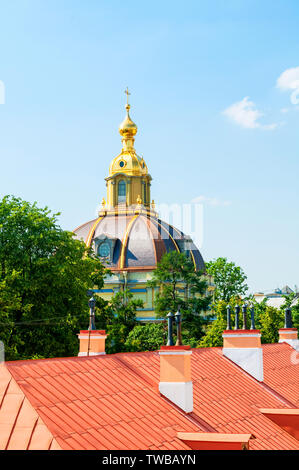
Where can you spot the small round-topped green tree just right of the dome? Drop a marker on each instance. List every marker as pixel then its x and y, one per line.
pixel 229 279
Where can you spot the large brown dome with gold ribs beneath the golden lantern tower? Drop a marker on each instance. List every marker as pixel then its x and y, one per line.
pixel 136 241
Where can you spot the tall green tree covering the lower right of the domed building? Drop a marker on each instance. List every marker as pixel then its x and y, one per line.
pixel 181 287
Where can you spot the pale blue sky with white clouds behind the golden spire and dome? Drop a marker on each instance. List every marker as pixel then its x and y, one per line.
pixel 216 118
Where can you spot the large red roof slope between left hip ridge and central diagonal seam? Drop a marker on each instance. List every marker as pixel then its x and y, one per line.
pixel 99 403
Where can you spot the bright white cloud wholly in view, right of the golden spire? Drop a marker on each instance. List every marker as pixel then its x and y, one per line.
pixel 245 114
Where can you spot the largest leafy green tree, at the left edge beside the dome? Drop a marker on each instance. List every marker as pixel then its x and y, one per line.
pixel 44 278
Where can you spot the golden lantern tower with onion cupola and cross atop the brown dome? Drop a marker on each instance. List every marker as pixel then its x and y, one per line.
pixel 128 178
